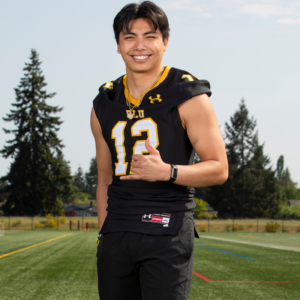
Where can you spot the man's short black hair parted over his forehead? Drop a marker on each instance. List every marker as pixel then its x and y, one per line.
pixel 145 9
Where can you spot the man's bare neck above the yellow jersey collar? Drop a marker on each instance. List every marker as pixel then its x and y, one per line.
pixel 138 83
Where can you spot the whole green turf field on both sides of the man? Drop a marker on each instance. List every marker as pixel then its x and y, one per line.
pixel 62 265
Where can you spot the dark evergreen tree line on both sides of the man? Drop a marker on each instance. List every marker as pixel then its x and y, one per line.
pixel 39 179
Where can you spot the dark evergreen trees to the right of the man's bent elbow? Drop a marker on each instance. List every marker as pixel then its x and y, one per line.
pixel 253 188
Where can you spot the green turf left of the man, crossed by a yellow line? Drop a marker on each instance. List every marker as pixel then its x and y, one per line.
pixel 61 269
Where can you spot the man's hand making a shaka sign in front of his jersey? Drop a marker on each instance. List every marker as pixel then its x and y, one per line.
pixel 148 167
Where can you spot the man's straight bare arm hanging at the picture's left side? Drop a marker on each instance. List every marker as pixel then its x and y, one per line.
pixel 105 171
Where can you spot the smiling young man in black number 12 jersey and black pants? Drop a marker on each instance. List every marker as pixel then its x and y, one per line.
pixel 146 125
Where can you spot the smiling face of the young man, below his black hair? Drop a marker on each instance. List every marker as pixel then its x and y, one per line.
pixel 142 47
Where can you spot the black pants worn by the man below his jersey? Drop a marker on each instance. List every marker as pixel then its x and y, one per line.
pixel 137 266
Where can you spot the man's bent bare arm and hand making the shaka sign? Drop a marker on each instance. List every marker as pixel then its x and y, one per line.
pixel 198 117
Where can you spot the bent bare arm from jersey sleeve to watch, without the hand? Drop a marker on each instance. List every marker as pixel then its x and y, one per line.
pixel 198 117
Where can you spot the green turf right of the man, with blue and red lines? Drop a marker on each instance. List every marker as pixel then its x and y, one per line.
pixel 267 265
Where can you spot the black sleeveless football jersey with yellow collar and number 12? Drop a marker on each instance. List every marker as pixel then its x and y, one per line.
pixel 136 205
